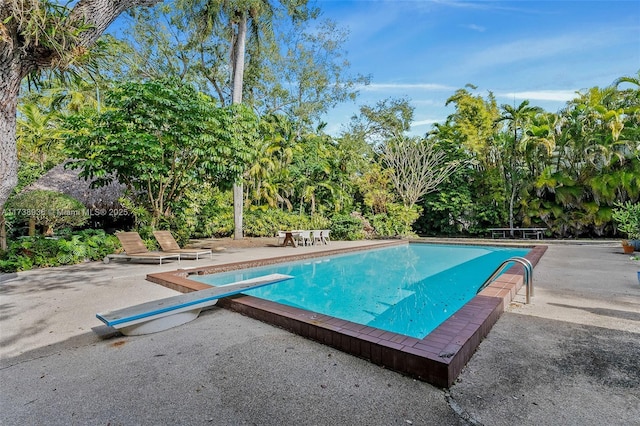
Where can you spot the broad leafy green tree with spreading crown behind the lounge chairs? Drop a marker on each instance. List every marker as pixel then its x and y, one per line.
pixel 161 138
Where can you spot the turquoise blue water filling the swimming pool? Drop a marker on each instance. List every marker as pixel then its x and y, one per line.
pixel 407 289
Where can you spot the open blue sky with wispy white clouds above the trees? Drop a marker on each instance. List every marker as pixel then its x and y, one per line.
pixel 425 50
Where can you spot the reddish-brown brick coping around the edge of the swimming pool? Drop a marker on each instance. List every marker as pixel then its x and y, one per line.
pixel 437 358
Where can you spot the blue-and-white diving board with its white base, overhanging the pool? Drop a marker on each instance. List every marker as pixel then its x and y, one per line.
pixel 159 315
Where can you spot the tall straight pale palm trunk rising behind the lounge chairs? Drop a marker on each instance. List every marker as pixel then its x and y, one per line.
pixel 238 76
